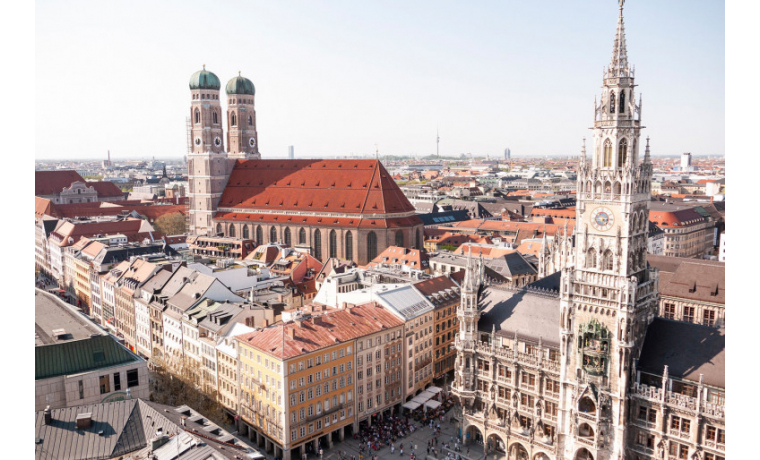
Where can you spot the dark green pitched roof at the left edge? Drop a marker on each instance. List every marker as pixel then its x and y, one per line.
pixel 83 355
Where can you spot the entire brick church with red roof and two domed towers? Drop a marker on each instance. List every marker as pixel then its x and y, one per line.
pixel 350 209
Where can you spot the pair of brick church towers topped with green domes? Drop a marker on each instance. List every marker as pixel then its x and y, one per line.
pixel 209 164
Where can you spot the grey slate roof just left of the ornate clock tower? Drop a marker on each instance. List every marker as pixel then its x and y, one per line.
pixel 530 314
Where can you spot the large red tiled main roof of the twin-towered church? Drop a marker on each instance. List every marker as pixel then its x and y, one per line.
pixel 344 186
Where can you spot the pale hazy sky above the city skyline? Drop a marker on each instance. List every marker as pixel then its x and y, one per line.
pixel 336 77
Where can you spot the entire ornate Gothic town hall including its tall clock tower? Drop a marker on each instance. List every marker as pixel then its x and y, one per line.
pixel 575 365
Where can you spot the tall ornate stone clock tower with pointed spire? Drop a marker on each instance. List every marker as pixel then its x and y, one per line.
pixel 608 294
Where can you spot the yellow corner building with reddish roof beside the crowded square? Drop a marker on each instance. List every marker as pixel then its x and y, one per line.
pixel 298 378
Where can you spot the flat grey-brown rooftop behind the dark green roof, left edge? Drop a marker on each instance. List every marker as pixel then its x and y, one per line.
pixel 52 314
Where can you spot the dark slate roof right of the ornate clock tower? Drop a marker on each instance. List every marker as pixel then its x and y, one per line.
pixel 687 349
